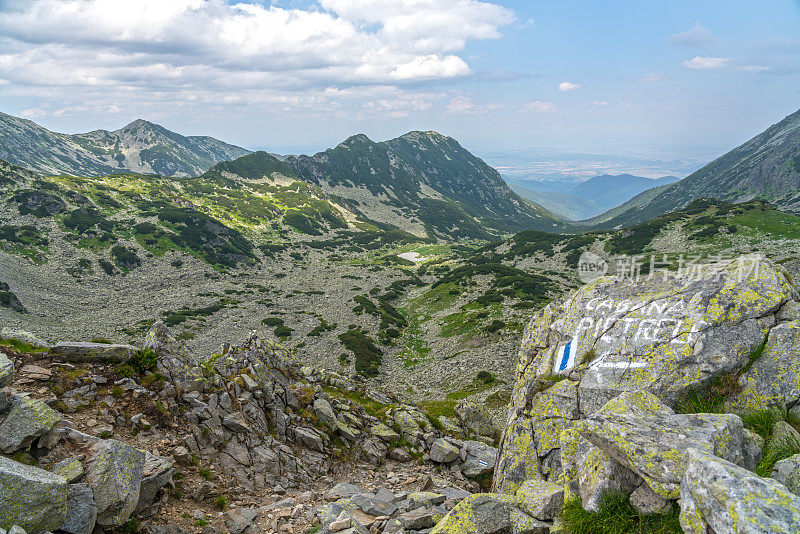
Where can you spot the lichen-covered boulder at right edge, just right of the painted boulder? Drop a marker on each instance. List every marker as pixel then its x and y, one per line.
pixel 774 378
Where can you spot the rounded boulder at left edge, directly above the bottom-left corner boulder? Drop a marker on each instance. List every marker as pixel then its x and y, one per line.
pixel 27 420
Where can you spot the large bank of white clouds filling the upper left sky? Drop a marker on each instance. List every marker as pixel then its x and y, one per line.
pixel 202 51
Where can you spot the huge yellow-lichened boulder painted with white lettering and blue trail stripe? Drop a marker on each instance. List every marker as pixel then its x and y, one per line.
pixel 668 334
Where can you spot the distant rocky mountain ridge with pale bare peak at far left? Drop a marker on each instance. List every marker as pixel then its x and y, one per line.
pixel 140 146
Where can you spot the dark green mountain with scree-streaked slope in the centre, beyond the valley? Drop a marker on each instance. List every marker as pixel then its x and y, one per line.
pixel 422 182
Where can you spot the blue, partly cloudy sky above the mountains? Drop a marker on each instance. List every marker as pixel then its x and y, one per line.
pixel 670 79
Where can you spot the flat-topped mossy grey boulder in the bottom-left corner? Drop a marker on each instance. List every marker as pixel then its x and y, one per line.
pixel 31 498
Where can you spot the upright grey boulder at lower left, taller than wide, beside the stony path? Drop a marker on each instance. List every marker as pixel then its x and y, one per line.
pixel 114 472
